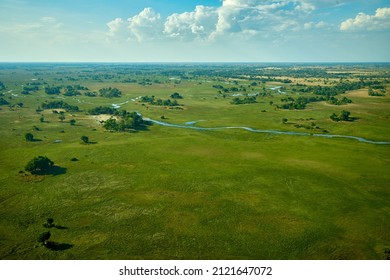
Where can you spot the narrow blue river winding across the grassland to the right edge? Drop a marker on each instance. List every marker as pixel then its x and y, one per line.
pixel 190 125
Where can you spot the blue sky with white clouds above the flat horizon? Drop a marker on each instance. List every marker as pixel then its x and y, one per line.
pixel 194 31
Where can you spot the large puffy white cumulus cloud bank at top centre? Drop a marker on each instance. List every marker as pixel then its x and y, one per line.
pixel 233 17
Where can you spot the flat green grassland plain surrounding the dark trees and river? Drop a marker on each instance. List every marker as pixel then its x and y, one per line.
pixel 177 193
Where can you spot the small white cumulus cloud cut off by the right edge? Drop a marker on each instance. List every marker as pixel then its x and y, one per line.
pixel 379 21
